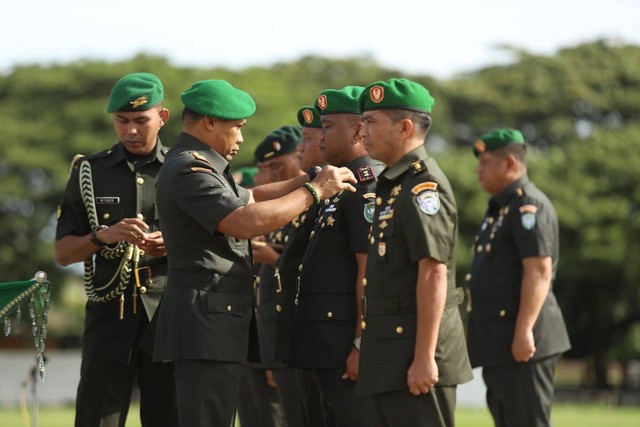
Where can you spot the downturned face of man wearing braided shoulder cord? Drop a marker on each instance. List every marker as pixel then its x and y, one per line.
pixel 138 130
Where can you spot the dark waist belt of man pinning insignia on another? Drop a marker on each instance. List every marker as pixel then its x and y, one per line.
pixel 207 281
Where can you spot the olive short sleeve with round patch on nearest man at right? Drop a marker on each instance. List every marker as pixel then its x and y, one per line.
pixel 429 222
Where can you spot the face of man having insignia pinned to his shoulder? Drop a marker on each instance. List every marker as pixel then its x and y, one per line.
pixel 338 132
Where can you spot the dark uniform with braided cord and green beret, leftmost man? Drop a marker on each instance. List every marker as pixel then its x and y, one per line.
pixel 117 341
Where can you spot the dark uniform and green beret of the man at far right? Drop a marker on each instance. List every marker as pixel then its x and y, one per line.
pixel 520 222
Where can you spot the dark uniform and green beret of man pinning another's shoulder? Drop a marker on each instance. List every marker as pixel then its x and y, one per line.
pixel 206 321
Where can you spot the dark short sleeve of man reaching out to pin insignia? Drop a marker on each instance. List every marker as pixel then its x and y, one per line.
pixel 206 197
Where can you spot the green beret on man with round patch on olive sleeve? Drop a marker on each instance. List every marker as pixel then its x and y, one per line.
pixel 396 94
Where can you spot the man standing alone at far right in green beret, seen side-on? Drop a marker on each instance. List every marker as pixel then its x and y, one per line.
pixel 516 329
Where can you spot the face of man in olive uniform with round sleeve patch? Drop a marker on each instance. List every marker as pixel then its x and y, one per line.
pixel 379 137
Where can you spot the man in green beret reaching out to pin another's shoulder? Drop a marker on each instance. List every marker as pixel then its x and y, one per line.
pixel 206 317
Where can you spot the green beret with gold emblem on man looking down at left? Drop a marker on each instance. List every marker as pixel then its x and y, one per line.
pixel 135 92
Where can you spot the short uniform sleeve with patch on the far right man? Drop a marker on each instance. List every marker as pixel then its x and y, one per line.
pixel 533 227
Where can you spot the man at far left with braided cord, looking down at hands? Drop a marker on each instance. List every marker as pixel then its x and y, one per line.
pixel 109 211
